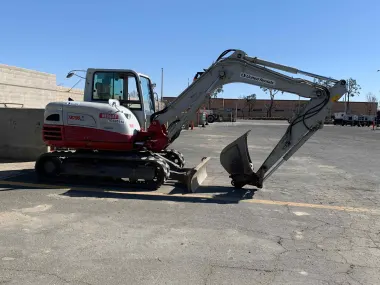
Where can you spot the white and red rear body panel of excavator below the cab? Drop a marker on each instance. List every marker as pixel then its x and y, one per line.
pixel 90 125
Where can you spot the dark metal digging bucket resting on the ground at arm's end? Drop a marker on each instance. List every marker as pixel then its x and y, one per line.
pixel 236 160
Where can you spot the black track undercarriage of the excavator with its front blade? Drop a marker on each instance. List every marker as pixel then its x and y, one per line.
pixel 143 169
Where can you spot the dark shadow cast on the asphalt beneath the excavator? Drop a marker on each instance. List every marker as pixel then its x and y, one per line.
pixel 171 191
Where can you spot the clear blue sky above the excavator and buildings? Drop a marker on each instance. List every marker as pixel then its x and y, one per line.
pixel 328 37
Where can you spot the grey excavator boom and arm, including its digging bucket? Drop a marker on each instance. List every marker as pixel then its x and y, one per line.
pixel 241 68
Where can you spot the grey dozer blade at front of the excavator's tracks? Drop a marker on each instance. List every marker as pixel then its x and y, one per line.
pixel 192 178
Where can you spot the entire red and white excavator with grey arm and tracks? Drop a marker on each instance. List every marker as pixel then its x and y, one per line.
pixel 116 131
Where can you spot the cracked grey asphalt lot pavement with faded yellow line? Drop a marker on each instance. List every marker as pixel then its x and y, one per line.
pixel 315 221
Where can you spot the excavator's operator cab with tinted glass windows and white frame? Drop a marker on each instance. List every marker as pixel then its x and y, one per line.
pixel 133 90
